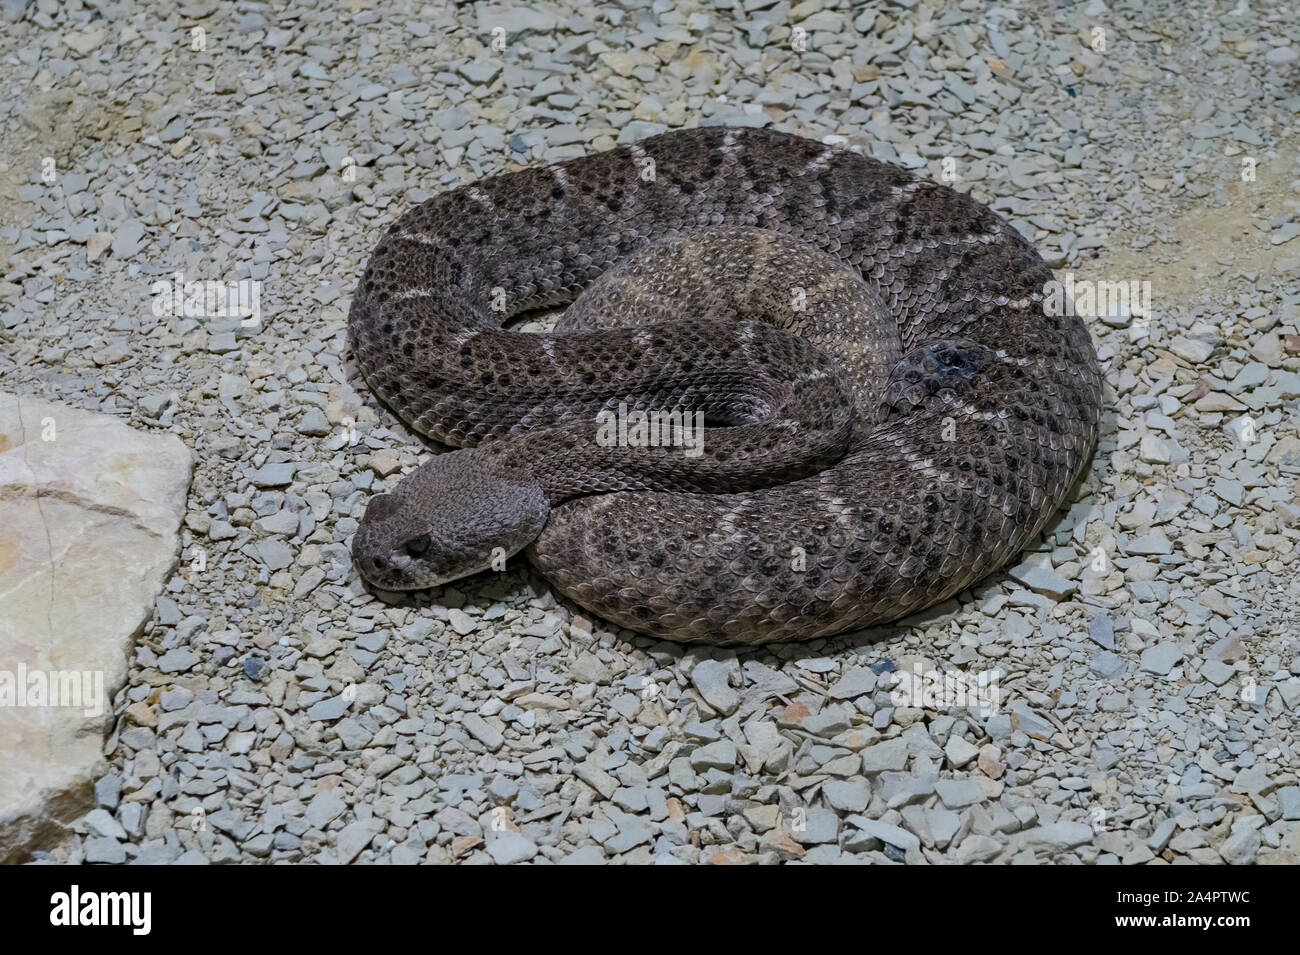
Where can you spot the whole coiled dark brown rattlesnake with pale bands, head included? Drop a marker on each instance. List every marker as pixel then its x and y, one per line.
pixel 890 413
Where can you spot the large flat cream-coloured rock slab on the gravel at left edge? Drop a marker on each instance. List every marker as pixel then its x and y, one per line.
pixel 90 514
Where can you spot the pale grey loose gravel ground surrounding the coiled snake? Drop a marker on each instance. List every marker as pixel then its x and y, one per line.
pixel 1146 653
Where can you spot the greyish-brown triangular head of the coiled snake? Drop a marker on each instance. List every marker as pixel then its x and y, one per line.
pixel 452 518
